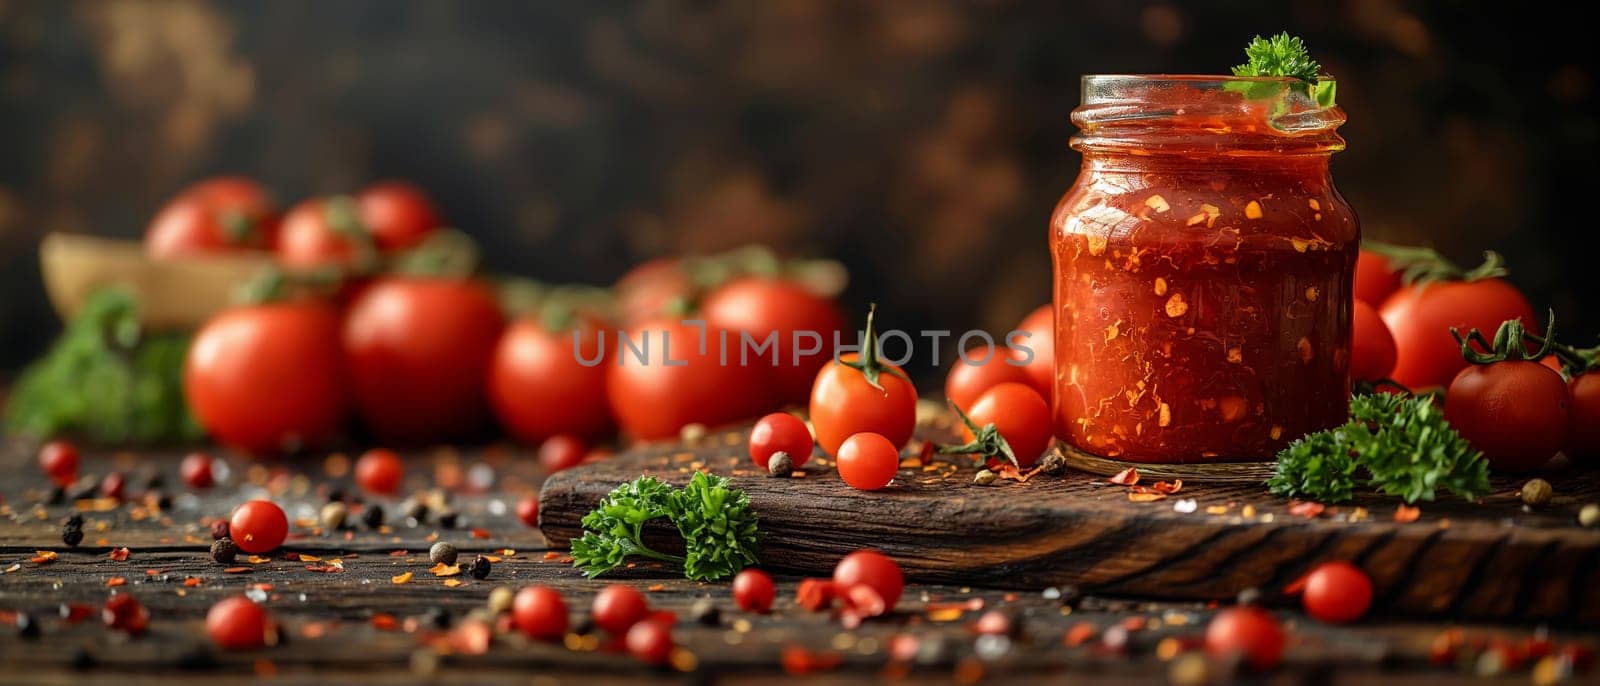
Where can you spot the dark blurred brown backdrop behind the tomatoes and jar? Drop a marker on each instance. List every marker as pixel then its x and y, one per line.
pixel 921 142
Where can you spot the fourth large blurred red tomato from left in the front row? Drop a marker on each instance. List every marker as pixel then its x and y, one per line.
pixel 681 383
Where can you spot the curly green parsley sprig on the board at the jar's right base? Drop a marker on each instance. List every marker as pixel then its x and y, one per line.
pixel 1401 445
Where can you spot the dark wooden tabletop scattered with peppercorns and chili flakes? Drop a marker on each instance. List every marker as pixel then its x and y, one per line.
pixel 337 624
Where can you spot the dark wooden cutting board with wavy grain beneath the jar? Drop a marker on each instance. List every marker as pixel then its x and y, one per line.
pixel 1458 560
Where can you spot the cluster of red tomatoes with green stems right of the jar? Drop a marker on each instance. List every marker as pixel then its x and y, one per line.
pixel 1414 325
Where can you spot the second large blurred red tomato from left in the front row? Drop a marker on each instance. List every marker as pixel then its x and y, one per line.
pixel 420 356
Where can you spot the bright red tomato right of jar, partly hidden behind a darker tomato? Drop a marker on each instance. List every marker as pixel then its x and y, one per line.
pixel 1420 317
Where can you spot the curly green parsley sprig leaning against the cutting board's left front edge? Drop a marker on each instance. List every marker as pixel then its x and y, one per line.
pixel 718 525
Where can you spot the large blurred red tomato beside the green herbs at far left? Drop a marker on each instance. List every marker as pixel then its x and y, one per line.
pixel 270 378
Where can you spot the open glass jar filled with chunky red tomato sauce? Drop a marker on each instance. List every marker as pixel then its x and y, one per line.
pixel 1202 271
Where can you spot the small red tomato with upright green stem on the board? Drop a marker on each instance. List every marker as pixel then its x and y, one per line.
pixel 862 394
